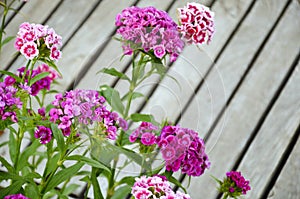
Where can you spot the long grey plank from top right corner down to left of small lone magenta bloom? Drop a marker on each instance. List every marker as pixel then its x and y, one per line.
pixel 243 113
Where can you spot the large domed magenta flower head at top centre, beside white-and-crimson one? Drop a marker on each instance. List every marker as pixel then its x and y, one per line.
pixel 149 29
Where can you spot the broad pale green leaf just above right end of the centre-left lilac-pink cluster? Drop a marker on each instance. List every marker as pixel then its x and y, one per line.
pixel 113 98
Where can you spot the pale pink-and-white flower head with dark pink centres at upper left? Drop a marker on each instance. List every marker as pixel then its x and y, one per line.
pixel 36 39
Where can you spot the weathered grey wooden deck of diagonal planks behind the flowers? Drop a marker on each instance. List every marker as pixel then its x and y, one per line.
pixel 241 93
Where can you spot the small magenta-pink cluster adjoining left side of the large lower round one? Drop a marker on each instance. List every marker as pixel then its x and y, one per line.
pixel 145 134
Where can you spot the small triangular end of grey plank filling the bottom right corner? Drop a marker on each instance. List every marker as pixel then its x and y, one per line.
pixel 287 185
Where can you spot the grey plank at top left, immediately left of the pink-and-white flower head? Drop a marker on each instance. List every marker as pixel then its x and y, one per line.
pixel 34 12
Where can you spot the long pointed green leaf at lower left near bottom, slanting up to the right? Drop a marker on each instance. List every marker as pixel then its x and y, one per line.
pixel 63 175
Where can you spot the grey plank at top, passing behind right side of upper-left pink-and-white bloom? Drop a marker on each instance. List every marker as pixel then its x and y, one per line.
pixel 65 20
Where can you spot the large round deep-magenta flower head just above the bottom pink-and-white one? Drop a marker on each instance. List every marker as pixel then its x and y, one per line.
pixel 182 148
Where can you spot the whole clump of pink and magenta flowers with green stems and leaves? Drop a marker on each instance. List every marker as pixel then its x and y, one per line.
pixel 85 133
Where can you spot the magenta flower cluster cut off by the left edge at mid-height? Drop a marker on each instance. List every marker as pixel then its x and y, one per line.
pixel 9 101
